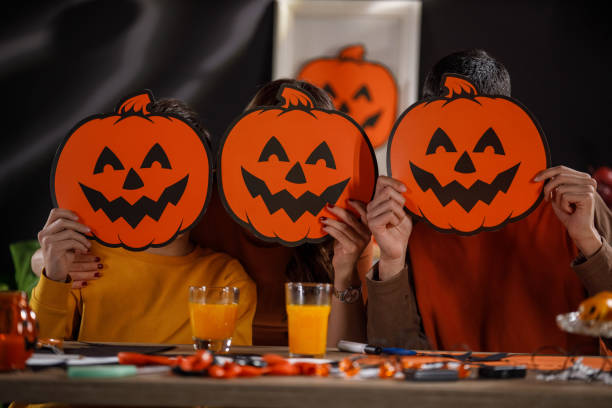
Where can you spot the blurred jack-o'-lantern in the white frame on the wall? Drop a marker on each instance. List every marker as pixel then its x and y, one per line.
pixel 364 90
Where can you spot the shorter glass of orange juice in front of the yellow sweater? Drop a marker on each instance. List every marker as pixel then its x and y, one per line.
pixel 213 312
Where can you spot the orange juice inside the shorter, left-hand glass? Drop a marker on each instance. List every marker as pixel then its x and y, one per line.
pixel 213 321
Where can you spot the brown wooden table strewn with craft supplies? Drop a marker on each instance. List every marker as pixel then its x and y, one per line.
pixel 169 390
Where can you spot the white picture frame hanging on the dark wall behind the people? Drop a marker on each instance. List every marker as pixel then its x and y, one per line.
pixel 390 31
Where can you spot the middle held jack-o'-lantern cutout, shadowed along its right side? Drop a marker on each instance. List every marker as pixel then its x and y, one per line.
pixel 279 166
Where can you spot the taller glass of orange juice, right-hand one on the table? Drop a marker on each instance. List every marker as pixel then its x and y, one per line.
pixel 308 306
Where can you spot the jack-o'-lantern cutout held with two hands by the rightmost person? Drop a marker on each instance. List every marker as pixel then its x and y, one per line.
pixel 468 160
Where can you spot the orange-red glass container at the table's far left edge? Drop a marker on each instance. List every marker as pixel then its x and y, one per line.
pixel 18 330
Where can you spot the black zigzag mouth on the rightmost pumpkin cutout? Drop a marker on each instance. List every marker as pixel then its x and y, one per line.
pixel 465 197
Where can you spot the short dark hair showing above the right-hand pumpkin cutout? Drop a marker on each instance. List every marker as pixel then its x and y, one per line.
pixel 488 75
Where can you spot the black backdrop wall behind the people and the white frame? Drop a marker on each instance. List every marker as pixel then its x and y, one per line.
pixel 63 60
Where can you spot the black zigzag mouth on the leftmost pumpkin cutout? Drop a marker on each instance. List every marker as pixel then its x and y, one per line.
pixel 133 214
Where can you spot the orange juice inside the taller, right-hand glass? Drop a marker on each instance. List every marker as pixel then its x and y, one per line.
pixel 308 329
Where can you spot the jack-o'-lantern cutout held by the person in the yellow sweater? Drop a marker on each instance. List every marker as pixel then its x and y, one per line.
pixel 135 178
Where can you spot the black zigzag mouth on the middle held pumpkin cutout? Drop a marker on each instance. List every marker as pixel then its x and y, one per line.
pixel 283 200
